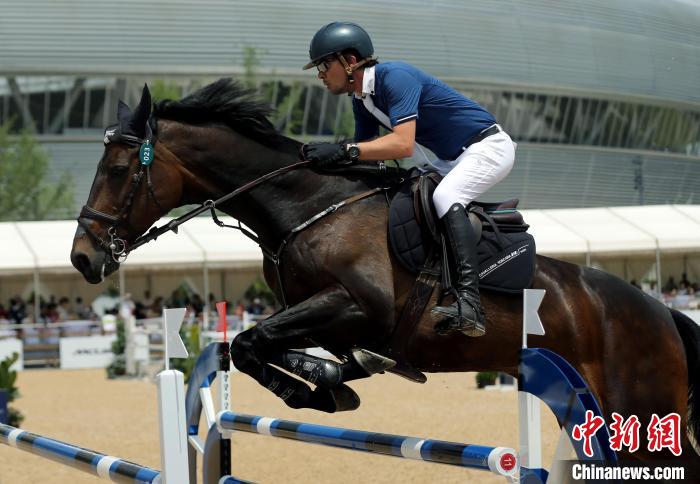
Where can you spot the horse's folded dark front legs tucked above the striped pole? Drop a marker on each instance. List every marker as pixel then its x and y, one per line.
pixel 330 312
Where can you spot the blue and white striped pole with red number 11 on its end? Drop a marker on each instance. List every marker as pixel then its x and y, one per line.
pixel 499 460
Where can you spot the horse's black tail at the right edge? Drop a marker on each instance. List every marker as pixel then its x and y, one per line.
pixel 690 334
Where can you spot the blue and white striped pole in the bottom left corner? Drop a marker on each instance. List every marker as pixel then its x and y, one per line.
pixel 100 465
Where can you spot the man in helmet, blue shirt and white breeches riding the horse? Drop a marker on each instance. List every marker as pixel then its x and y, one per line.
pixel 474 152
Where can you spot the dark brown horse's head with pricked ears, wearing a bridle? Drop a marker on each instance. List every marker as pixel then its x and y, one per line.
pixel 135 184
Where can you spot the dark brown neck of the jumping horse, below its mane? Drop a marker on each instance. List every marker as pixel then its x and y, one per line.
pixel 272 208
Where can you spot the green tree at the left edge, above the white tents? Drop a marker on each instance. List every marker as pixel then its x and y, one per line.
pixel 28 193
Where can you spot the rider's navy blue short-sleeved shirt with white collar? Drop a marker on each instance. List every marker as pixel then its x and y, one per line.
pixel 445 119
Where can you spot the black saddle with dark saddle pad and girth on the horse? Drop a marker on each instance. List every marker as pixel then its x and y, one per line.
pixel 506 254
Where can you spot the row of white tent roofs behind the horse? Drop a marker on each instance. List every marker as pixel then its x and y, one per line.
pixel 605 232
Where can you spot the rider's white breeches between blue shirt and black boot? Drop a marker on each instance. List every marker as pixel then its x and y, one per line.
pixel 475 171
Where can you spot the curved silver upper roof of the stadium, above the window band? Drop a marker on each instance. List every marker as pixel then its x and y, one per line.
pixel 644 48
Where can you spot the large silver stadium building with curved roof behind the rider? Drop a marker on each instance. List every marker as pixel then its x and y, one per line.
pixel 602 95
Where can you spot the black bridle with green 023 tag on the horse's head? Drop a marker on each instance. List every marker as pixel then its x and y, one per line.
pixel 117 247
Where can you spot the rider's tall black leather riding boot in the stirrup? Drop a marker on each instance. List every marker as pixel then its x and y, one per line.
pixel 465 314
